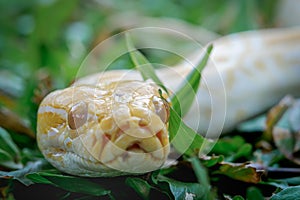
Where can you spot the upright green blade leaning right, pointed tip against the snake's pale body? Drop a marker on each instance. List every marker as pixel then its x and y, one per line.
pixel 184 97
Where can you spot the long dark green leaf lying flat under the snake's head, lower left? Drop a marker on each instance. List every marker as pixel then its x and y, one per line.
pixel 69 183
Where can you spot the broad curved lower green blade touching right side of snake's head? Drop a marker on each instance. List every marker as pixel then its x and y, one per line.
pixel 184 139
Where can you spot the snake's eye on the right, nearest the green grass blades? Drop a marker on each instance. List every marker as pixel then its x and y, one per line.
pixel 162 108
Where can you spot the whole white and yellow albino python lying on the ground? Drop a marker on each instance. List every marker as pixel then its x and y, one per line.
pixel 114 123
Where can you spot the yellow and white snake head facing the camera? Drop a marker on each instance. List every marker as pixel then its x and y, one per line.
pixel 105 130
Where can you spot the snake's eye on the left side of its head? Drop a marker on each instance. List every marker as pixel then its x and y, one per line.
pixel 77 115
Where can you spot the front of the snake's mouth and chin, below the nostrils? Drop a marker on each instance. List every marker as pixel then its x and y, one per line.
pixel 135 155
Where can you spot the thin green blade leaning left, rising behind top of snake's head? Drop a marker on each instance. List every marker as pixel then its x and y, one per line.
pixel 142 64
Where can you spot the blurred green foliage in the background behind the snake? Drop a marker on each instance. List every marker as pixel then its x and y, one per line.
pixel 44 42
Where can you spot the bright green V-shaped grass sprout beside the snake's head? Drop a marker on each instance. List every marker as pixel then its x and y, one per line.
pixel 187 141
